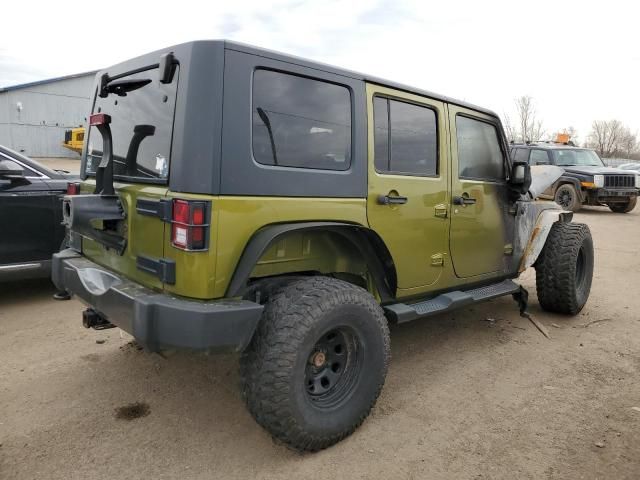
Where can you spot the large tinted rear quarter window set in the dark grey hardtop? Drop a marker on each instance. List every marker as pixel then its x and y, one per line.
pixel 300 122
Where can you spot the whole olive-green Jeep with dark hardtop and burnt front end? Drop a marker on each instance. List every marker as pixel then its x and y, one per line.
pixel 237 199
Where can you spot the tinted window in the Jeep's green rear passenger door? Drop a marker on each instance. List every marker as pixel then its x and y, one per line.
pixel 410 145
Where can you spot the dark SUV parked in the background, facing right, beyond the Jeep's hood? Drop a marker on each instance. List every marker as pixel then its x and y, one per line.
pixel 586 179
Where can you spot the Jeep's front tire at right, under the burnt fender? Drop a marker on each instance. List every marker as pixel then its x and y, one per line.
pixel 564 269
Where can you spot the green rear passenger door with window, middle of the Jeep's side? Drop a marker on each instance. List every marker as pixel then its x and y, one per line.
pixel 408 181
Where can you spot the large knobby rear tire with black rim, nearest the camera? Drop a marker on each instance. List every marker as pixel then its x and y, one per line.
pixel 317 362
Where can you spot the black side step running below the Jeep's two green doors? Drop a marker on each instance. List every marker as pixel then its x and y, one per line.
pixel 402 312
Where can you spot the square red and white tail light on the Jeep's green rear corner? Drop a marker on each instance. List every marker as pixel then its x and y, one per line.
pixel 189 230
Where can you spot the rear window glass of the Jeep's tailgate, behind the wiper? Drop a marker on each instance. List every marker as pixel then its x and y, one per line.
pixel 147 110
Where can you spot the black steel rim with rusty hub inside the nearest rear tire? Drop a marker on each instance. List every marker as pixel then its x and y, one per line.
pixel 333 368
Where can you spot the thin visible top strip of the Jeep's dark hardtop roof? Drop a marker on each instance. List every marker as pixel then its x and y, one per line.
pixel 241 47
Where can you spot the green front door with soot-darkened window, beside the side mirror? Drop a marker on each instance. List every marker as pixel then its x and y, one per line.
pixel 481 225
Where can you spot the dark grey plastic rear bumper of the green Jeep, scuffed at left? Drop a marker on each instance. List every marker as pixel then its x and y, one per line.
pixel 156 320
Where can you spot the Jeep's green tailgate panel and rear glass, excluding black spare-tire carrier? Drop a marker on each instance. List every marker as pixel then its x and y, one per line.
pixel 142 114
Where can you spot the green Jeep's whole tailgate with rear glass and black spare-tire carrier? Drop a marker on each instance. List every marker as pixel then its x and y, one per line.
pixel 127 164
